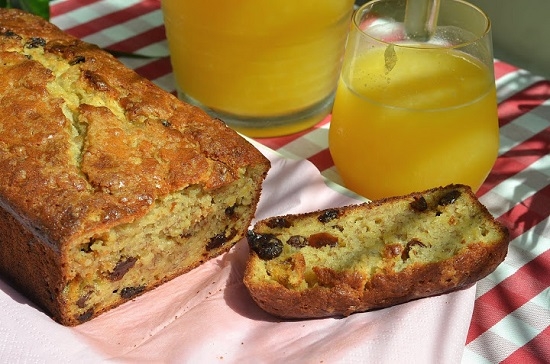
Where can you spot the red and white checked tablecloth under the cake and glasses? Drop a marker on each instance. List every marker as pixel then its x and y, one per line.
pixel 511 318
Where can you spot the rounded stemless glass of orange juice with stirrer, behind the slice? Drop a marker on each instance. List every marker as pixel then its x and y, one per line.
pixel 413 114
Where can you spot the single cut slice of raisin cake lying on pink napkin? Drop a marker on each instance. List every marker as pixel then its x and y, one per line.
pixel 373 255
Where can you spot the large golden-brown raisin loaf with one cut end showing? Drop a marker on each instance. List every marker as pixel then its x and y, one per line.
pixel 109 186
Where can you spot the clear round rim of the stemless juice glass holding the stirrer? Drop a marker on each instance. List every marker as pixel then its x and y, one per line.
pixel 358 15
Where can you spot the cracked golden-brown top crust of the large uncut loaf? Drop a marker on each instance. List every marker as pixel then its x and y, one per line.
pixel 86 143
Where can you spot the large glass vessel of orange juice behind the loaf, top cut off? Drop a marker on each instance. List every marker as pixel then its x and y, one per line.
pixel 265 67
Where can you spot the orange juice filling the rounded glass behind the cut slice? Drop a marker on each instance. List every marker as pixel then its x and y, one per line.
pixel 415 120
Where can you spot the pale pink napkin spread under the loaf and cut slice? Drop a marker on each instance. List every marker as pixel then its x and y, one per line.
pixel 207 315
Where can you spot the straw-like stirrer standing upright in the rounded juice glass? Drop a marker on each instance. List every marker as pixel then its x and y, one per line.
pixel 421 19
